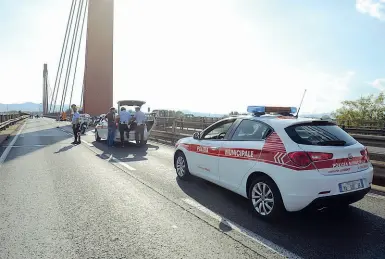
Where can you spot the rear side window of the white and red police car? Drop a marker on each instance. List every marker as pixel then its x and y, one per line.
pixel 251 130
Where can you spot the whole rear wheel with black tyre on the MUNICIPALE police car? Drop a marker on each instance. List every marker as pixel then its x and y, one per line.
pixel 265 198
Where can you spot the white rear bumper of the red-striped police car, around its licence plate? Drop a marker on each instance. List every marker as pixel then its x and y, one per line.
pixel 314 188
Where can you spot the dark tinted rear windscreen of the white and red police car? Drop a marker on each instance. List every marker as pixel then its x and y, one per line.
pixel 319 134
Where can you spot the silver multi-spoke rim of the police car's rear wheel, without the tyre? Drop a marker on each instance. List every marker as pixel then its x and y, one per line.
pixel 262 198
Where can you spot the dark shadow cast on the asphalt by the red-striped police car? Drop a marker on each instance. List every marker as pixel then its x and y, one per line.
pixel 354 233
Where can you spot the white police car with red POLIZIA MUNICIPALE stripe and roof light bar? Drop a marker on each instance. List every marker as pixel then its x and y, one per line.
pixel 279 162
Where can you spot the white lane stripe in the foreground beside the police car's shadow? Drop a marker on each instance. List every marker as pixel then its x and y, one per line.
pixel 260 240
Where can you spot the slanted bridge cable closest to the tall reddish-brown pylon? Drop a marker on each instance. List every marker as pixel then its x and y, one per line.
pixel 71 54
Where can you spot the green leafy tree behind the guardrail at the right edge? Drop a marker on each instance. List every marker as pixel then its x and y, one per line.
pixel 369 108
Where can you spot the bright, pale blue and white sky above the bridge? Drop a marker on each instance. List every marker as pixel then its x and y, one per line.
pixel 210 55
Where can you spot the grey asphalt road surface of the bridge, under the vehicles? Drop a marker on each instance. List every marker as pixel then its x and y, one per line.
pixel 58 200
